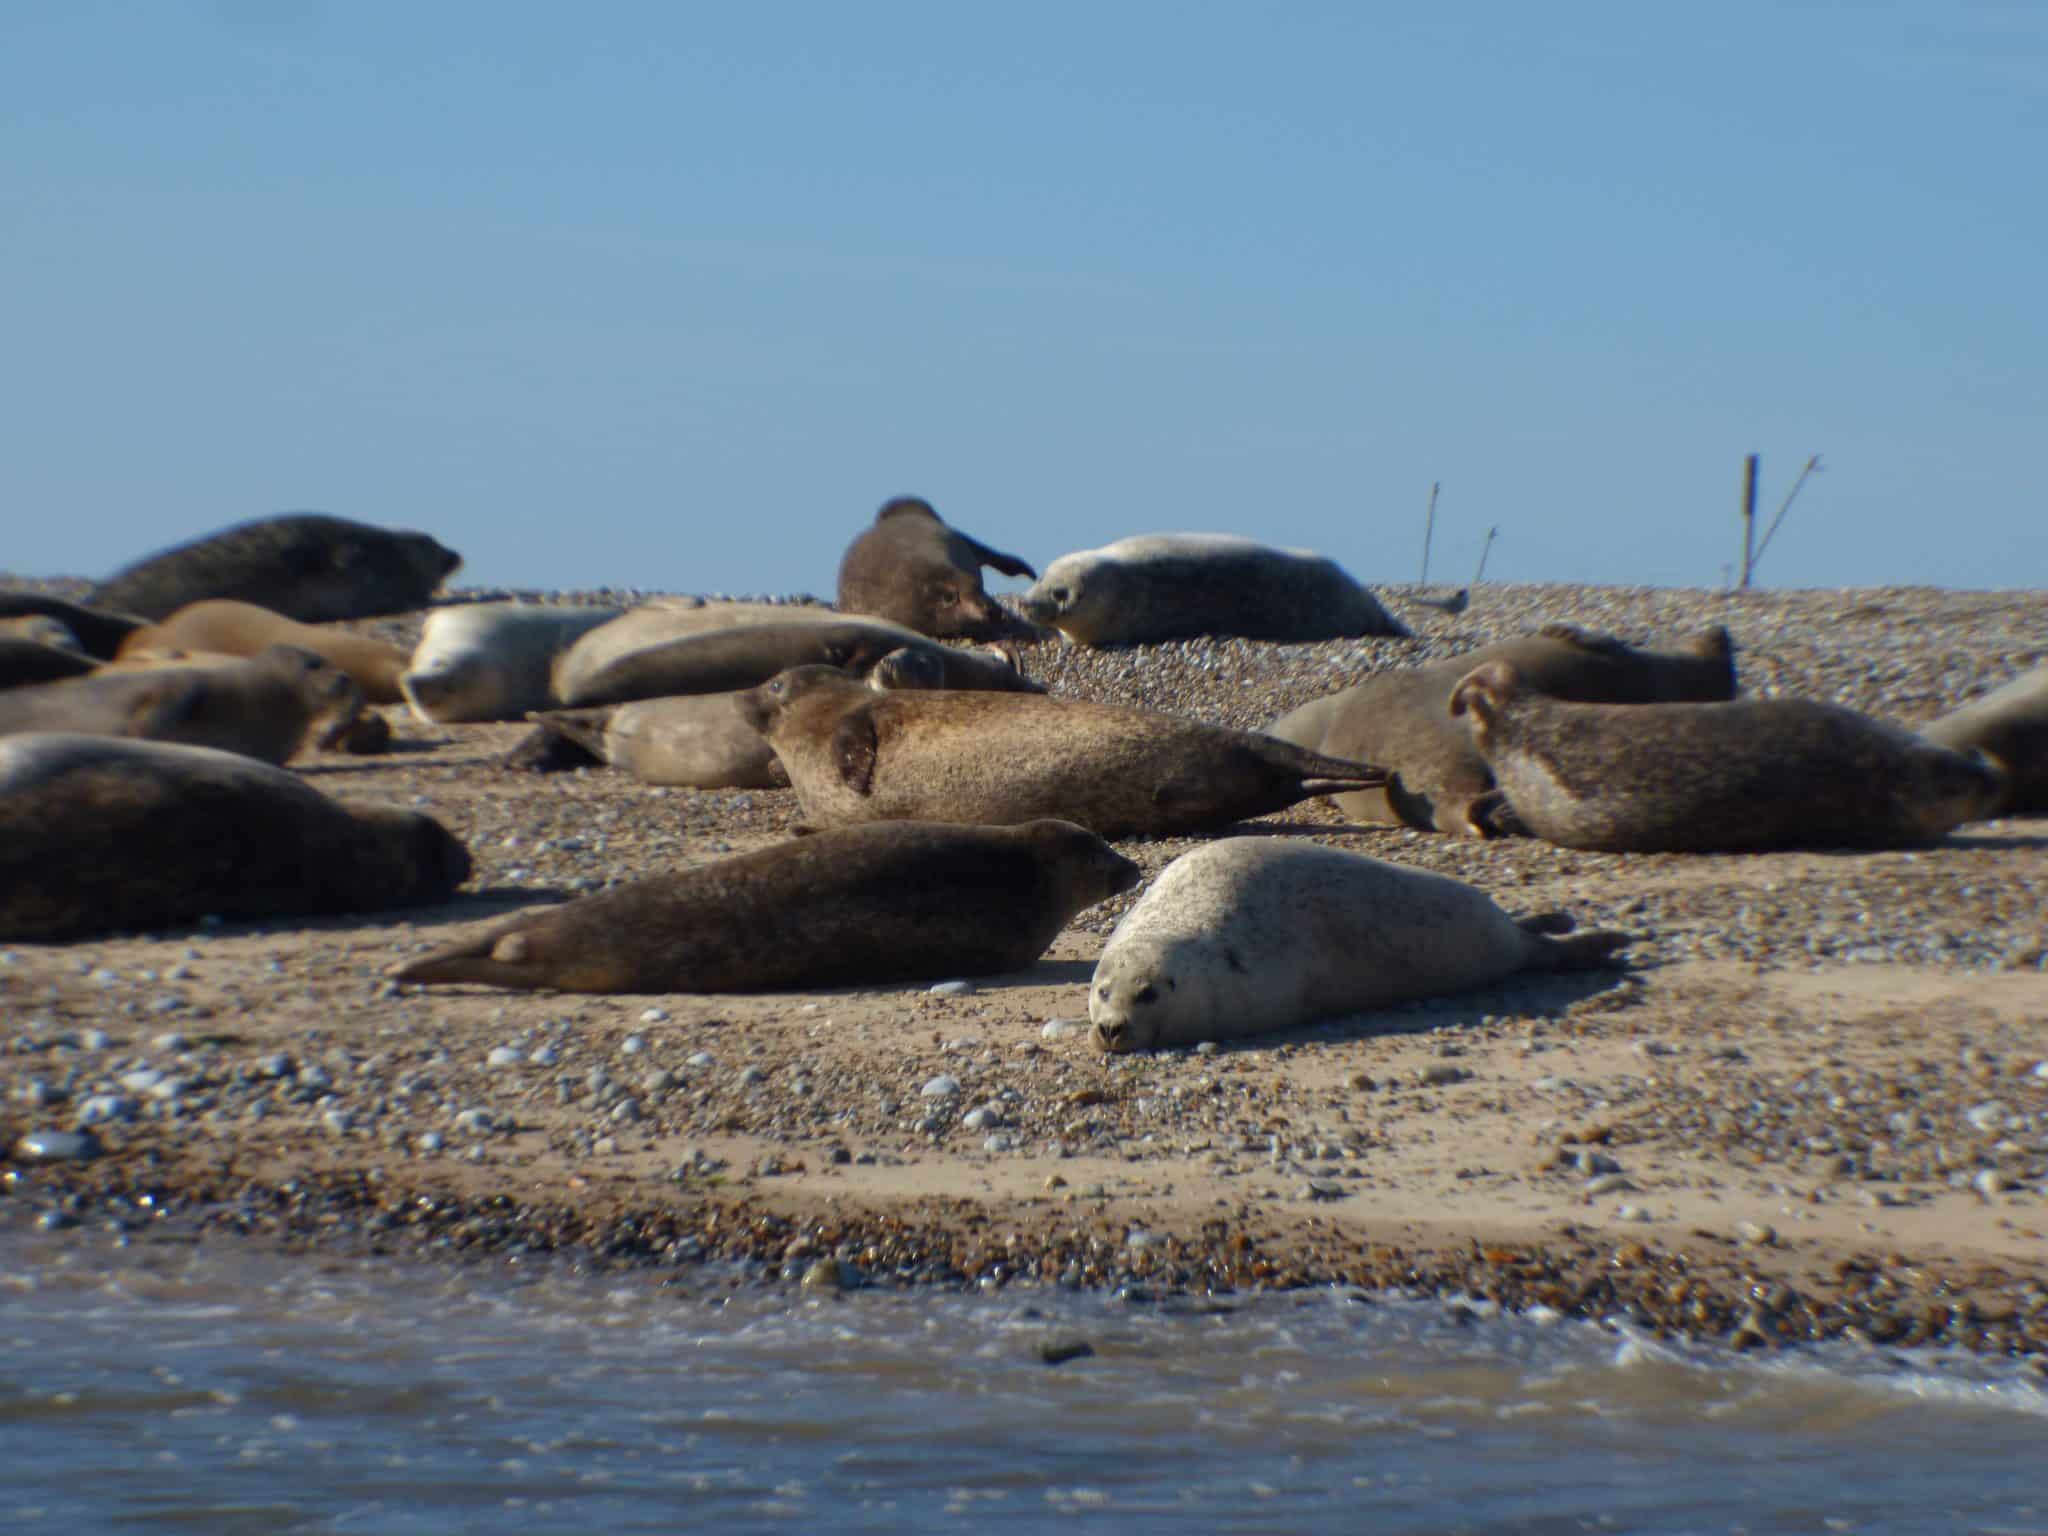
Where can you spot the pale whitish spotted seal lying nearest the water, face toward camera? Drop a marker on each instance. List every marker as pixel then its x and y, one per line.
pixel 1258 935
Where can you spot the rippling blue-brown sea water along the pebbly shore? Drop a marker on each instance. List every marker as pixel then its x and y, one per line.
pixel 224 1388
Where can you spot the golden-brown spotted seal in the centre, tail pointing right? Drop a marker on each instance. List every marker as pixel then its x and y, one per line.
pixel 855 755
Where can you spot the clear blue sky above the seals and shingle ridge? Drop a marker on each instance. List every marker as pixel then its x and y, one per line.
pixel 677 296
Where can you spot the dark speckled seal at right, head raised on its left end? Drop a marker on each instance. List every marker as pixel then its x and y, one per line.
pixel 1748 775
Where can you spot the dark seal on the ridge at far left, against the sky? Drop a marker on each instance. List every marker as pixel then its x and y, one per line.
pixel 306 566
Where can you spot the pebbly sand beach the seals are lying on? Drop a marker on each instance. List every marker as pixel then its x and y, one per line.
pixel 1816 1103
